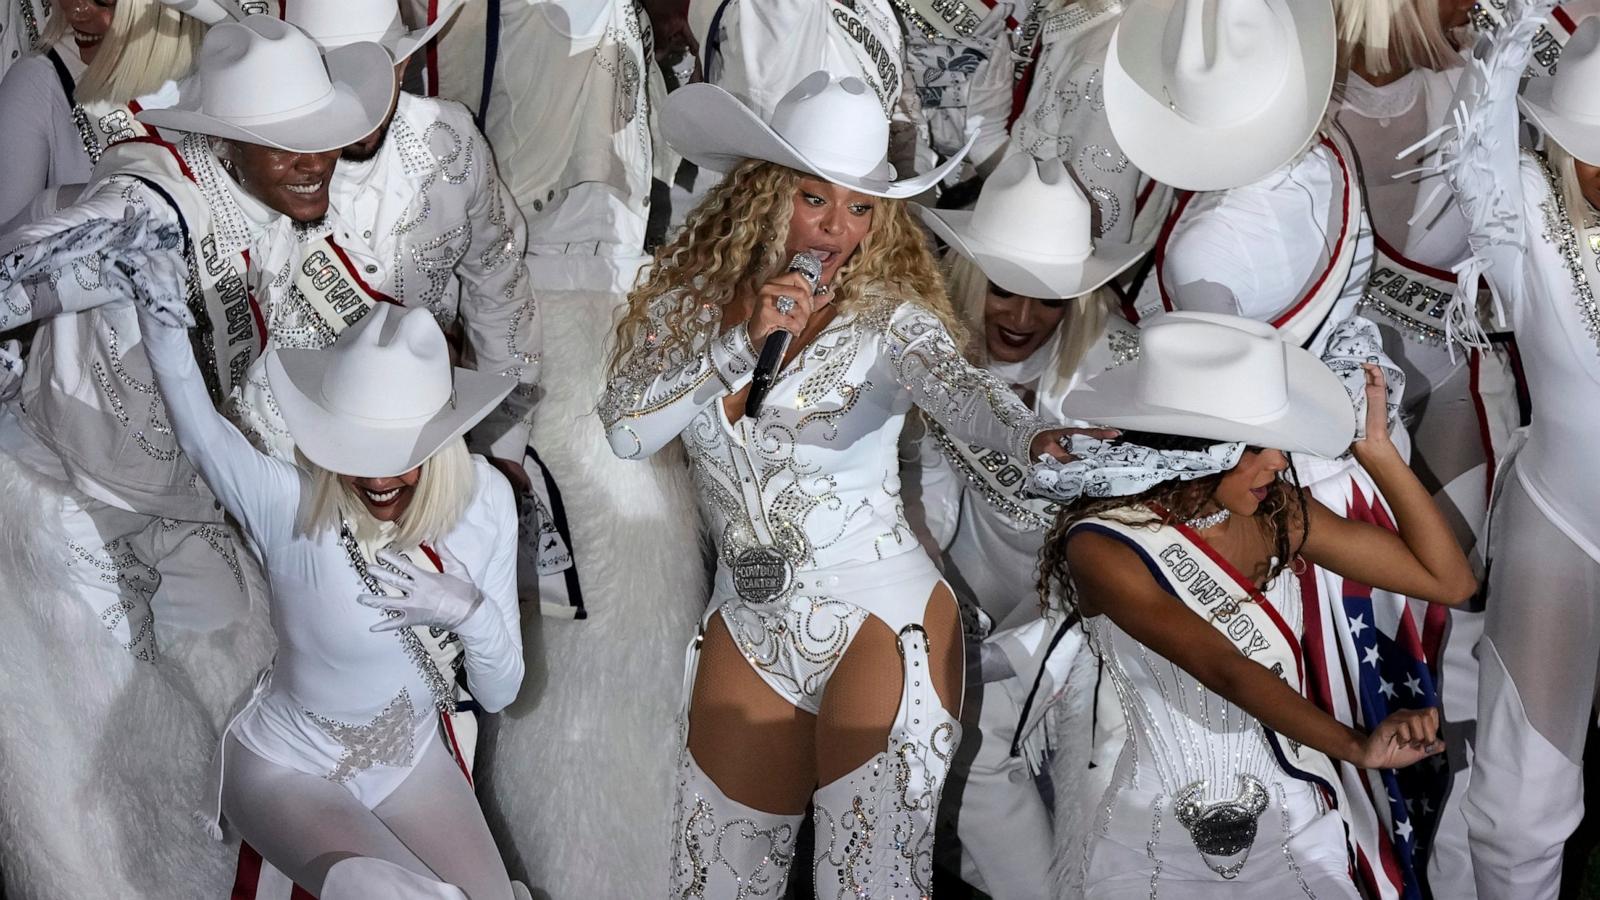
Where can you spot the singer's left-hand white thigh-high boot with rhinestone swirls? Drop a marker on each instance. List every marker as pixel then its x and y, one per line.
pixel 724 850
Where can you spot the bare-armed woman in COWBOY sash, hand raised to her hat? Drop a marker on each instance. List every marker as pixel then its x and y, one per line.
pixel 1174 547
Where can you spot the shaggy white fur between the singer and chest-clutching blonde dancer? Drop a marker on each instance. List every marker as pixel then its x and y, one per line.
pixel 577 777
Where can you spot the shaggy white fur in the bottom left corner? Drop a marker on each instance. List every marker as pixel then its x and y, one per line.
pixel 103 758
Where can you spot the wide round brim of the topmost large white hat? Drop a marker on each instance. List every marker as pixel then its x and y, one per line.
pixel 1174 150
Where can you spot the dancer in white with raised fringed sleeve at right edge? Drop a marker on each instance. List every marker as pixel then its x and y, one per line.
pixel 1534 236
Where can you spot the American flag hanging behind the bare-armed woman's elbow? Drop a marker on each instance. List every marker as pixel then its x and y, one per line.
pixel 1370 654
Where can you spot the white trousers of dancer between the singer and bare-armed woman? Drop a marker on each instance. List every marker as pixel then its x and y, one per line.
pixel 1002 824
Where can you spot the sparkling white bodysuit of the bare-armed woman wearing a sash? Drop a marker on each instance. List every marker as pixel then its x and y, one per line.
pixel 1190 744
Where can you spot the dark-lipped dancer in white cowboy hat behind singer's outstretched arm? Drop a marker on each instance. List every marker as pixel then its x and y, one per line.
pixel 1026 278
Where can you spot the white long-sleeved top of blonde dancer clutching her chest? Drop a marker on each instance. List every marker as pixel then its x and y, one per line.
pixel 330 665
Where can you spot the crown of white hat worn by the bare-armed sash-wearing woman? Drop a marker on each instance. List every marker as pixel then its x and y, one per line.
pixel 1214 366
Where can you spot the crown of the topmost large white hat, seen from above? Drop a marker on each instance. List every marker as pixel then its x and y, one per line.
pixel 1225 60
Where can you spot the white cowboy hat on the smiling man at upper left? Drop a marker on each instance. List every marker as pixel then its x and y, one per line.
pixel 265 82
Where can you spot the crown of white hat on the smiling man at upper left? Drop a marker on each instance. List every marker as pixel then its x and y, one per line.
pixel 241 62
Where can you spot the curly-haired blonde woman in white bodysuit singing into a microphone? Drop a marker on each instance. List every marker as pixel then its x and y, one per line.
pixel 833 653
